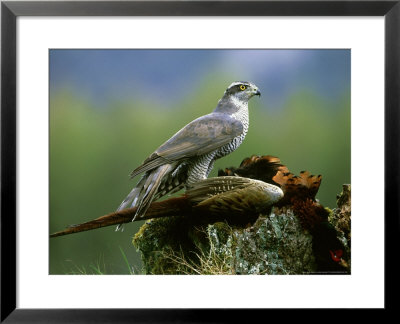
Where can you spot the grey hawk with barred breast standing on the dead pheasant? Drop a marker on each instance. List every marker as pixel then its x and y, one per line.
pixel 189 155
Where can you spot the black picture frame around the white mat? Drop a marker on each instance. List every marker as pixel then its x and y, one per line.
pixel 10 10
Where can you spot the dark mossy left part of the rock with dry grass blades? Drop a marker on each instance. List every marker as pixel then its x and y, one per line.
pixel 184 249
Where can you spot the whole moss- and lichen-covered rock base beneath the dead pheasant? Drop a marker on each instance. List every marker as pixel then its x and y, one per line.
pixel 275 242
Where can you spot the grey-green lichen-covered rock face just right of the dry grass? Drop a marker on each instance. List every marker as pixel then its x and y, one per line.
pixel 275 244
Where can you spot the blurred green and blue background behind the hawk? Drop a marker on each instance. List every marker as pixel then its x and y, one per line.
pixel 110 109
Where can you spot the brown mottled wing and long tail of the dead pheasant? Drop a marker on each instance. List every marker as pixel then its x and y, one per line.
pixel 215 196
